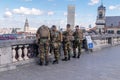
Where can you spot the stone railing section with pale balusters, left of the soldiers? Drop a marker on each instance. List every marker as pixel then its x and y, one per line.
pixel 16 52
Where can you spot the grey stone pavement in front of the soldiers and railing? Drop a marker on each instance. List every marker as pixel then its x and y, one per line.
pixel 99 65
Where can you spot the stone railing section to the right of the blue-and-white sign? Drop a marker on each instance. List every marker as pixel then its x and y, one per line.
pixel 106 40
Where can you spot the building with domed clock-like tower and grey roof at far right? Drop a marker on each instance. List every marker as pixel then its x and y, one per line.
pixel 107 24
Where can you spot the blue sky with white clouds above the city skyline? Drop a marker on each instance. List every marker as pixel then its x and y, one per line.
pixel 38 12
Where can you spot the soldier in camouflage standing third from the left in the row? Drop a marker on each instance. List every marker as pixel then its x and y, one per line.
pixel 67 38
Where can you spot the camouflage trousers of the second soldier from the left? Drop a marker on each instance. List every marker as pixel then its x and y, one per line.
pixel 55 49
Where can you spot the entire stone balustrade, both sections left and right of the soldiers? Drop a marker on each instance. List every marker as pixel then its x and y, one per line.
pixel 14 52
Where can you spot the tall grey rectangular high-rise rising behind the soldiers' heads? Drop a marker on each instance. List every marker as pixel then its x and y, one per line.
pixel 71 16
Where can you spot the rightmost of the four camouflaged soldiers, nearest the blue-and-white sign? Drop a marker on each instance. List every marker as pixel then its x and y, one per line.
pixel 77 43
